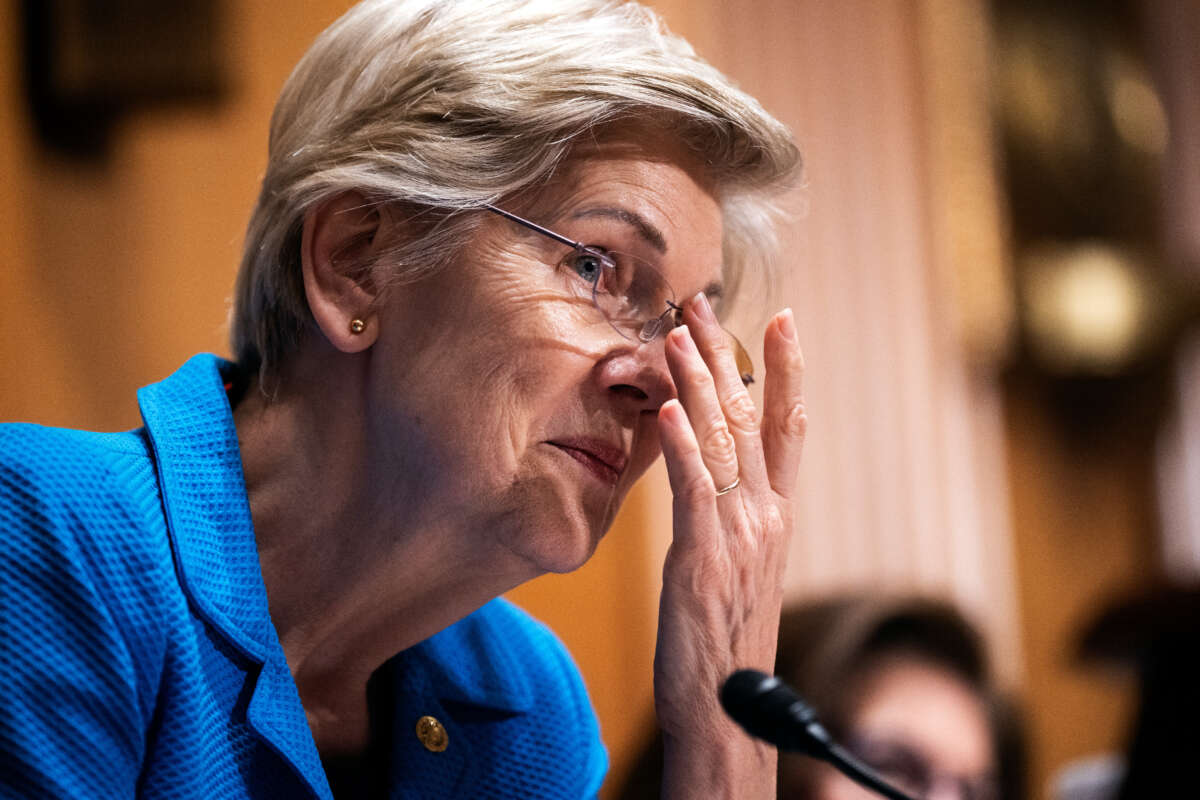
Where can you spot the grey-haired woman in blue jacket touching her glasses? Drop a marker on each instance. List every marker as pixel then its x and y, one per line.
pixel 481 293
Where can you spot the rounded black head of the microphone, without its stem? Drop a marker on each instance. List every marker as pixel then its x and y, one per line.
pixel 769 709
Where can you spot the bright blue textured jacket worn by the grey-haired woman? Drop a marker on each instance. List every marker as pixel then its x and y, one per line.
pixel 139 659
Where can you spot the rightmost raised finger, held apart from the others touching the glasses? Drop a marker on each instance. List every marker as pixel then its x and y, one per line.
pixel 785 422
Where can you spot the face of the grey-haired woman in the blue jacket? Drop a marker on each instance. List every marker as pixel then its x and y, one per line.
pixel 506 395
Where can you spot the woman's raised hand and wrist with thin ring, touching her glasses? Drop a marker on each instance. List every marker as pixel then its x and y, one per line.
pixel 722 582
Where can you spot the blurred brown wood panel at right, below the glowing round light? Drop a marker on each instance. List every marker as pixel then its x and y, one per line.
pixel 1084 527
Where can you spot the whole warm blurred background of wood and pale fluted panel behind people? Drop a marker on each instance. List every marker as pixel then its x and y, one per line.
pixel 995 268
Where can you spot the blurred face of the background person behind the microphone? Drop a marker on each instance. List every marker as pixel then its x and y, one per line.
pixel 923 729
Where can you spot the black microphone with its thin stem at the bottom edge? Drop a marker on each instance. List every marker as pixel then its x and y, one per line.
pixel 771 711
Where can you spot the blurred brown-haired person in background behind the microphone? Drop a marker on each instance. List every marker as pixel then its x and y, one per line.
pixel 903 683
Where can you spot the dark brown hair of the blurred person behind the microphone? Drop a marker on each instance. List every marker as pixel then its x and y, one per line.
pixel 826 645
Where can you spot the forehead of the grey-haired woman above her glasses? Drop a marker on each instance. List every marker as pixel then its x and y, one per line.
pixel 656 193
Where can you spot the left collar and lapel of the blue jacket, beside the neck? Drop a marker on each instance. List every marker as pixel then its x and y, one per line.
pixel 190 426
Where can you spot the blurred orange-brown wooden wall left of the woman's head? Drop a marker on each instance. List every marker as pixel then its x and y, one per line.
pixel 117 269
